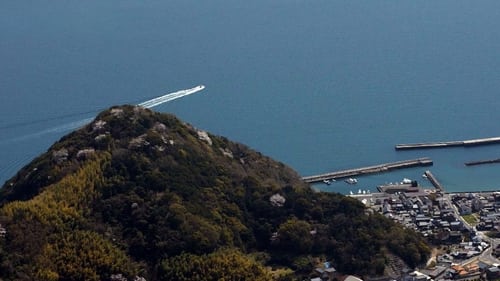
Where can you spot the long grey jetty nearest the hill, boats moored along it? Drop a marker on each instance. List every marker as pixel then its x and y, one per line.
pixel 425 161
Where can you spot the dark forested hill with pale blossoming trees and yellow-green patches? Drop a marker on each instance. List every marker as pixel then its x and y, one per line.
pixel 141 194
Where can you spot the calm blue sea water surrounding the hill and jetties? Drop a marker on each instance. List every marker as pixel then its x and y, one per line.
pixel 319 85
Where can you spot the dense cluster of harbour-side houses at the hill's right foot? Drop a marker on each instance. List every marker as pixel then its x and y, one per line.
pixel 438 217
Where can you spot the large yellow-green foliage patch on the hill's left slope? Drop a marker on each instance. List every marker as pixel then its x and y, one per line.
pixel 47 235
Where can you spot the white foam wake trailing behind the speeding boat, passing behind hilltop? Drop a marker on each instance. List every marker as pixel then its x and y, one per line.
pixel 78 124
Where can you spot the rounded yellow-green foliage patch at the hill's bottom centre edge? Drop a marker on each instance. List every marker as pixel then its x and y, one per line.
pixel 220 265
